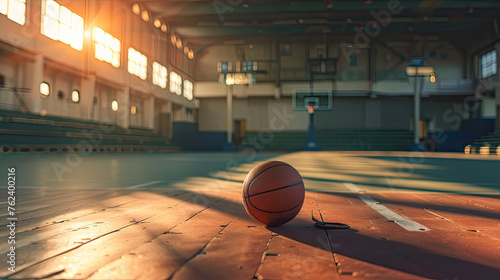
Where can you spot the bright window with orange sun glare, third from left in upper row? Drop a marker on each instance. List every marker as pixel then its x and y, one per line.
pixel 107 47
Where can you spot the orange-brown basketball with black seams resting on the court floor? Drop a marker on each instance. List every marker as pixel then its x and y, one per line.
pixel 273 193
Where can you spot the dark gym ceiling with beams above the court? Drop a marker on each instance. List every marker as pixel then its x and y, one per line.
pixel 201 23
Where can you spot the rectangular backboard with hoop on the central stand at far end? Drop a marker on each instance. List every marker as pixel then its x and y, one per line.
pixel 321 99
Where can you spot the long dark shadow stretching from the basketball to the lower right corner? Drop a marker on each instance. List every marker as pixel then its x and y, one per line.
pixel 380 255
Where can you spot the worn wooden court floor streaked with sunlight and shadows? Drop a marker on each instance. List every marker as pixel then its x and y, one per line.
pixel 180 216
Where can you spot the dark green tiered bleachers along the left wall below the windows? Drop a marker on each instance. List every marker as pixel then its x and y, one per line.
pixel 23 132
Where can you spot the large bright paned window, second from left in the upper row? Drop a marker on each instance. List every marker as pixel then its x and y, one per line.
pixel 60 24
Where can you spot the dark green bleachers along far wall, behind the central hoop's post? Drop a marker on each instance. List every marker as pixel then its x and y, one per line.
pixel 332 140
